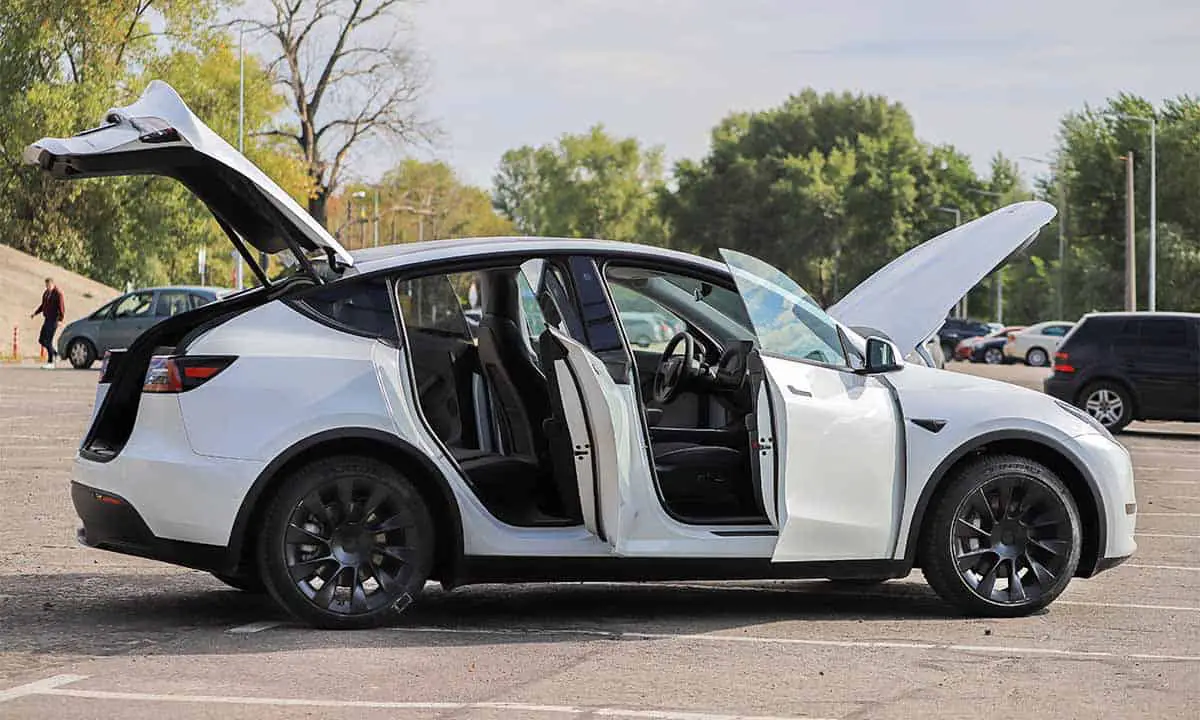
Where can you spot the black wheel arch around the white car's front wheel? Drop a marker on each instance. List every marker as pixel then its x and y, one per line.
pixel 1047 451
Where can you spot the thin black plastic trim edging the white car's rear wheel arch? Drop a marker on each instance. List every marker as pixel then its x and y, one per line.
pixel 238 537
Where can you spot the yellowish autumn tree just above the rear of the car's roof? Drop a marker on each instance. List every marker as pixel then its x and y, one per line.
pixel 418 201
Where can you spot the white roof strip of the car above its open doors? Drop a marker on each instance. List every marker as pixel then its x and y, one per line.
pixel 431 251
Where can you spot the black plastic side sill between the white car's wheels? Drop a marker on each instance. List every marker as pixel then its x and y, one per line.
pixel 483 569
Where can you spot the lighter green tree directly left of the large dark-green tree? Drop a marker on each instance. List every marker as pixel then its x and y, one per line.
pixel 587 185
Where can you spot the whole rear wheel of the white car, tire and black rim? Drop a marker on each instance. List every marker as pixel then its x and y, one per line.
pixel 347 544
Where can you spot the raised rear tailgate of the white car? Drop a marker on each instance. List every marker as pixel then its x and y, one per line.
pixel 160 136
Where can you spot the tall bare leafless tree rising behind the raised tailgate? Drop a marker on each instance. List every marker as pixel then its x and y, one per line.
pixel 350 81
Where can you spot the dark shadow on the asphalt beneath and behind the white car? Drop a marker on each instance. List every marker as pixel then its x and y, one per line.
pixel 189 614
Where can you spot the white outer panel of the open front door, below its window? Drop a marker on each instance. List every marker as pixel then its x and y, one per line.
pixel 839 443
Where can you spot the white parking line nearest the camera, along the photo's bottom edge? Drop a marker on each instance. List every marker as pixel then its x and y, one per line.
pixel 53 687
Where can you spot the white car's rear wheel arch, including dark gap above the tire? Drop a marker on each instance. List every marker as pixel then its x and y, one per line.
pixel 356 441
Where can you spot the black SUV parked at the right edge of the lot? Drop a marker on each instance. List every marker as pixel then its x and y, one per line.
pixel 1126 367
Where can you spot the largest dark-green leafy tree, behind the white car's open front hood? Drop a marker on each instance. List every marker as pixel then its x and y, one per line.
pixel 829 188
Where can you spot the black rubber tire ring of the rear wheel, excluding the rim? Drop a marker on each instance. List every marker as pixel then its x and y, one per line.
pixel 272 562
